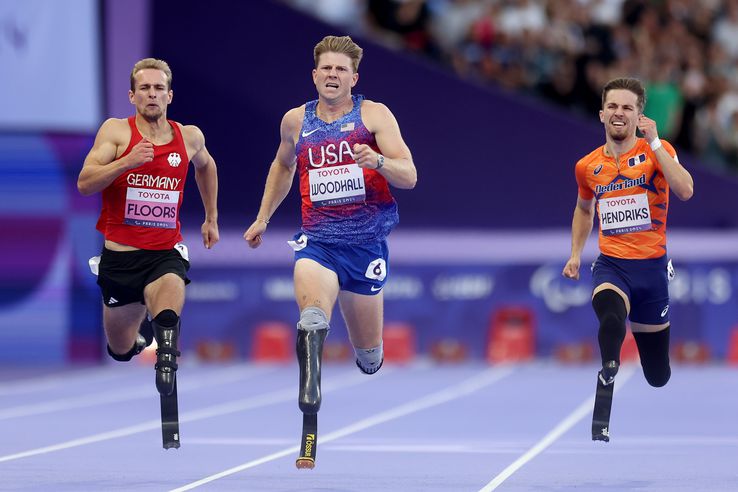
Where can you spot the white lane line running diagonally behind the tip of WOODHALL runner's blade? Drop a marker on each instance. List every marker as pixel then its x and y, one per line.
pixel 466 387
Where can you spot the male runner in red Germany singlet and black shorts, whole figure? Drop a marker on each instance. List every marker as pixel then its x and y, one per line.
pixel 139 165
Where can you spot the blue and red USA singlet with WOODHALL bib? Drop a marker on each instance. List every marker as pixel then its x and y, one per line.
pixel 341 202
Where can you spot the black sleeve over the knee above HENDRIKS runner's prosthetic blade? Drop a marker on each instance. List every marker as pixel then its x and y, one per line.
pixel 611 312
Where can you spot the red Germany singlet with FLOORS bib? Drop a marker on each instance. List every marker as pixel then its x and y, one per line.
pixel 141 207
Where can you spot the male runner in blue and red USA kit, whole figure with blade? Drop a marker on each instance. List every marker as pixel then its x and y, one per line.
pixel 347 151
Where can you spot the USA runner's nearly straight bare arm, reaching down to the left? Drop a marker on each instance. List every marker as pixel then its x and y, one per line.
pixel 279 179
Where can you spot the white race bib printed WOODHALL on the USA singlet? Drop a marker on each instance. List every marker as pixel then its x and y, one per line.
pixel 337 185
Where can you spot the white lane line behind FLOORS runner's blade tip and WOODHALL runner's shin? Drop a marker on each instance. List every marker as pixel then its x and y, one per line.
pixel 350 379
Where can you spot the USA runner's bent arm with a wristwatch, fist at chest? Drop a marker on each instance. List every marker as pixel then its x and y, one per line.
pixel 398 167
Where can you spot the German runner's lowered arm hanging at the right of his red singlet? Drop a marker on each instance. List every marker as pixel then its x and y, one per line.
pixel 206 176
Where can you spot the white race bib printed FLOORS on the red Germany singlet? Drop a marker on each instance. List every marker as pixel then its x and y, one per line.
pixel 151 208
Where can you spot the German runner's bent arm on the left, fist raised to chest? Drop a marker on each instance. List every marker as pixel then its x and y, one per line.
pixel 101 168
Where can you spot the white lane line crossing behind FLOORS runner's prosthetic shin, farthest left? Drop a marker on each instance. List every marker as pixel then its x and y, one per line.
pixel 228 376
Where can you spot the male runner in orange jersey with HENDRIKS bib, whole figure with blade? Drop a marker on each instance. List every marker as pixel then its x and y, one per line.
pixel 629 179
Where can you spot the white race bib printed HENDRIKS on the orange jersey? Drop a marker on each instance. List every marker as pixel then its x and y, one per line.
pixel 624 214
